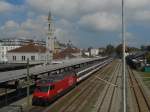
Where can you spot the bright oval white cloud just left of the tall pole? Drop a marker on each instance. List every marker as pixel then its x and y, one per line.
pixel 101 22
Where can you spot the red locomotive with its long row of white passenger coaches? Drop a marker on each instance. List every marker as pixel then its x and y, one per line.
pixel 52 87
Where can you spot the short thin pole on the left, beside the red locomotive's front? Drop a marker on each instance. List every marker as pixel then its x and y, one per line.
pixel 28 84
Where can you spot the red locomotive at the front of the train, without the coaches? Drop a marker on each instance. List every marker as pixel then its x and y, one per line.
pixel 50 88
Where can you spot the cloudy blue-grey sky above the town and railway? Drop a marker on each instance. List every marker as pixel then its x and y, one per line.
pixel 87 23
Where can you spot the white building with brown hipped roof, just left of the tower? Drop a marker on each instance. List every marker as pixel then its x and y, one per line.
pixel 35 54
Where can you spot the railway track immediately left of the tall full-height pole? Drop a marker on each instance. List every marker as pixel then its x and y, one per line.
pixel 106 99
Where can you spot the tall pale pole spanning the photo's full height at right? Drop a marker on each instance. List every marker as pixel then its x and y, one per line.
pixel 123 58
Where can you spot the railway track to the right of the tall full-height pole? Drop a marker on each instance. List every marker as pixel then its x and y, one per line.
pixel 141 101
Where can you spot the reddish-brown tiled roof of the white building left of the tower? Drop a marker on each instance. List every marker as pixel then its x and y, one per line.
pixel 30 48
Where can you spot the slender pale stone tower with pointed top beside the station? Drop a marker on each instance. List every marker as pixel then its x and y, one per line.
pixel 50 38
